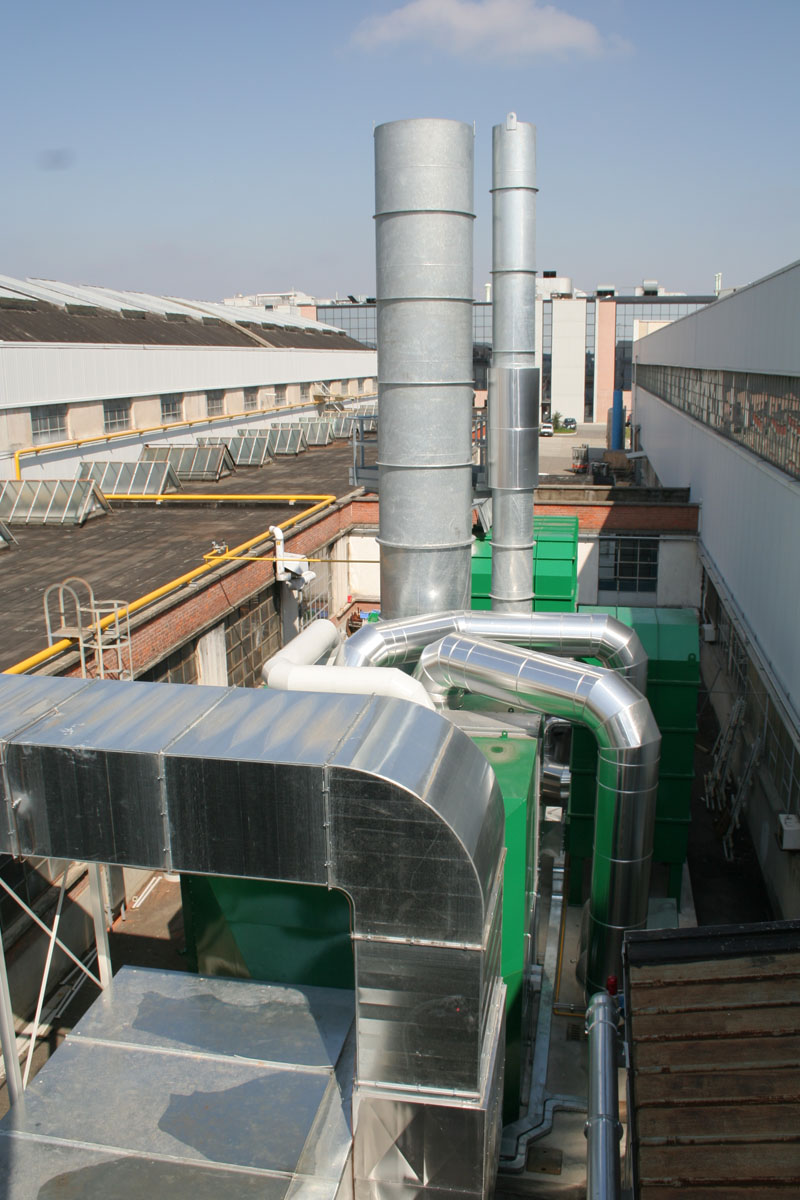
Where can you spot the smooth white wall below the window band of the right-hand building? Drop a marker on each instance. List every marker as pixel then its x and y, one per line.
pixel 750 523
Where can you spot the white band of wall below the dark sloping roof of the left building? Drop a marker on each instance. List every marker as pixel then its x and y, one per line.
pixel 56 374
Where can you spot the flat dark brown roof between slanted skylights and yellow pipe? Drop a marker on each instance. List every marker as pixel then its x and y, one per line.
pixel 140 548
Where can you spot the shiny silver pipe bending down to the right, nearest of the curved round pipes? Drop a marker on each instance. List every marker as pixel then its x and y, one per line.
pixel 629 747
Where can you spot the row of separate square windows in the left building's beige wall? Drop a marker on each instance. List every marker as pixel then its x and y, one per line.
pixel 50 423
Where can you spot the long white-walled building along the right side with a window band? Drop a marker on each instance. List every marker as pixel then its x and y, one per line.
pixel 717 407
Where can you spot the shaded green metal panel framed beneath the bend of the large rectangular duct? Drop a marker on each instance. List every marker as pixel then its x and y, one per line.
pixel 279 933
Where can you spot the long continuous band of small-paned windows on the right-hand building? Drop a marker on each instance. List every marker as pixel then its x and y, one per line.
pixel 760 412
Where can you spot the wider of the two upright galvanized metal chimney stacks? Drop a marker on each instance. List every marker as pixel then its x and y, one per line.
pixel 424 244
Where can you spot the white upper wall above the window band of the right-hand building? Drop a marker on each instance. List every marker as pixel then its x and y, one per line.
pixel 754 331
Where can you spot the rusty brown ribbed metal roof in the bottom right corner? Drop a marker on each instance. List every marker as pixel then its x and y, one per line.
pixel 714 1037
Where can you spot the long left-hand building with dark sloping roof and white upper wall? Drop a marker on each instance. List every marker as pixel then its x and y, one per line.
pixel 85 364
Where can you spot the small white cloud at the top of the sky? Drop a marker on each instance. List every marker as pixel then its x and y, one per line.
pixel 496 29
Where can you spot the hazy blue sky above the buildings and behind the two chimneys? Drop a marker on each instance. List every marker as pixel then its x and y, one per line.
pixel 204 149
